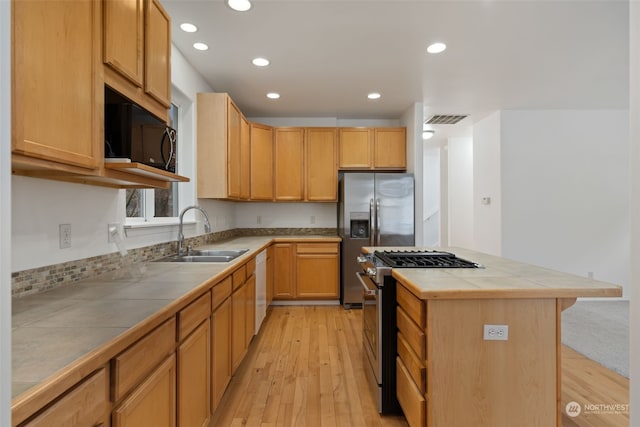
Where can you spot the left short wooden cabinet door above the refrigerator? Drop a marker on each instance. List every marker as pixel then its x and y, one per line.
pixel 355 148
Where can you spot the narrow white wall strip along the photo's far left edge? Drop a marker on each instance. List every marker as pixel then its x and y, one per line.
pixel 5 213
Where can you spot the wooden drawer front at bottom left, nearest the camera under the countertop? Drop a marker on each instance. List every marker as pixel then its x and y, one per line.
pixel 87 404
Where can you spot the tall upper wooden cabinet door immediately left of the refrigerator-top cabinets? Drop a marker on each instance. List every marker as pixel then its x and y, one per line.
pixel 322 170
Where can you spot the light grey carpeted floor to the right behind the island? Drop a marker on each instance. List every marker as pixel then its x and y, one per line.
pixel 600 331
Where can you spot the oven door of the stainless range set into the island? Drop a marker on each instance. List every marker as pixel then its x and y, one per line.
pixel 371 304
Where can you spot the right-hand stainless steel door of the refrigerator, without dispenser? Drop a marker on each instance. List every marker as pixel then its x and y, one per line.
pixel 394 200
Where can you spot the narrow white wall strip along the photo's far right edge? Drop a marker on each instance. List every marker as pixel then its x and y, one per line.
pixel 634 285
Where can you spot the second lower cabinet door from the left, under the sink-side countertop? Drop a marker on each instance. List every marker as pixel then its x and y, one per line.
pixel 194 362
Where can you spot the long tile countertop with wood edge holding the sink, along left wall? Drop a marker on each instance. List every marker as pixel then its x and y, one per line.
pixel 69 325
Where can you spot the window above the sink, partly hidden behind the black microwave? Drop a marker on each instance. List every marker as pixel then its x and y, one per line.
pixel 147 205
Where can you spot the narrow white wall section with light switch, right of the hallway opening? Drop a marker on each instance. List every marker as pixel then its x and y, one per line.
pixel 487 184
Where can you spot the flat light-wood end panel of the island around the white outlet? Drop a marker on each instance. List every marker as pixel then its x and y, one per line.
pixel 474 382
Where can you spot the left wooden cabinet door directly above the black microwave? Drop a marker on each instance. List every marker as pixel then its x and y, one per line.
pixel 124 38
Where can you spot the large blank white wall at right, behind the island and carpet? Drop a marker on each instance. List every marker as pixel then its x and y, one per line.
pixel 565 191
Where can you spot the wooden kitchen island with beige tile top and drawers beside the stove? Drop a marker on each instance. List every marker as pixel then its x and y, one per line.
pixel 481 346
